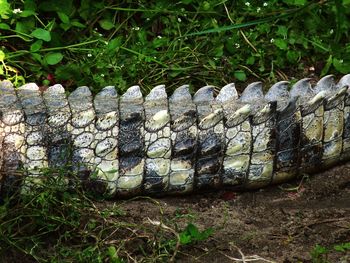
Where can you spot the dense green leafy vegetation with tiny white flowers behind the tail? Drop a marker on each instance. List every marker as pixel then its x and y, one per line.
pixel 101 43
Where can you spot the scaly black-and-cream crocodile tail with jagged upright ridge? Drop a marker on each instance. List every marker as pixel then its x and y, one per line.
pixel 127 145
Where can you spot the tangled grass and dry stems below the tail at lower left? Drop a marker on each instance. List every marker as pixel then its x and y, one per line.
pixel 53 224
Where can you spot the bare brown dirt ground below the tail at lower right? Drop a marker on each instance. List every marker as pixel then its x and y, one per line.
pixel 276 223
